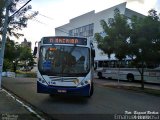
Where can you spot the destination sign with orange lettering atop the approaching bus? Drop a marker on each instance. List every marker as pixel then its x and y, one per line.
pixel 65 40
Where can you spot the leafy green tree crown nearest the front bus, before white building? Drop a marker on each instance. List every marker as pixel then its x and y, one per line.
pixel 115 41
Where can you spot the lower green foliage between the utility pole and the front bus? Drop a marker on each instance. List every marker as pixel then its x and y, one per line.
pixel 17 55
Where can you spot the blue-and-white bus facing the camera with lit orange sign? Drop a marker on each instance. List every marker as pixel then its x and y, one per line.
pixel 65 66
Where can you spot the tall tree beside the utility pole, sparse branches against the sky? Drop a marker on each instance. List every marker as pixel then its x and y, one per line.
pixel 17 21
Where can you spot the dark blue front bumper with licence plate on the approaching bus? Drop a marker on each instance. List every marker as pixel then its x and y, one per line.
pixel 58 90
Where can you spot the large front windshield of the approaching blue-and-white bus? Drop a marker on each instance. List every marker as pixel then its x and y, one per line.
pixel 64 60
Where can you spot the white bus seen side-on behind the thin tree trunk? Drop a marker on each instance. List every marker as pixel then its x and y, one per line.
pixel 124 70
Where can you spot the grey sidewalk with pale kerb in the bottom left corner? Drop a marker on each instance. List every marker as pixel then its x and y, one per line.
pixel 13 109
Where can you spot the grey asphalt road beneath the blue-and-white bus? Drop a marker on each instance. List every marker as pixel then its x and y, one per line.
pixel 104 104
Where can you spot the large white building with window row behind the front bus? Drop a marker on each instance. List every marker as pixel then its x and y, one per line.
pixel 88 24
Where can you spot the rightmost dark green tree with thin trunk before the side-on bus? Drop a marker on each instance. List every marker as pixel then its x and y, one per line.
pixel 144 42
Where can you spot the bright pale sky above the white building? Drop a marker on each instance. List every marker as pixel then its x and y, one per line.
pixel 54 13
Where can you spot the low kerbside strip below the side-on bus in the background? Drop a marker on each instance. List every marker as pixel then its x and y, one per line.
pixel 115 83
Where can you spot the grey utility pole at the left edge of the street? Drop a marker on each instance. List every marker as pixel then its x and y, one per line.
pixel 4 39
